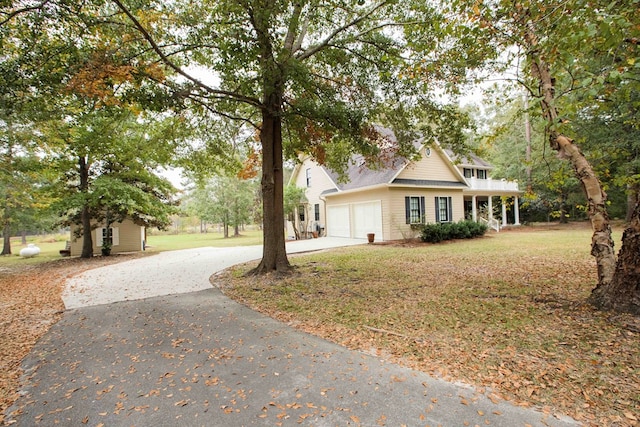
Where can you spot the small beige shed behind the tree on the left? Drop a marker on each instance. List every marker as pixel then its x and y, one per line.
pixel 125 236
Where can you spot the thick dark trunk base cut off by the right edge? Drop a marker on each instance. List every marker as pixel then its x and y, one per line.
pixel 623 292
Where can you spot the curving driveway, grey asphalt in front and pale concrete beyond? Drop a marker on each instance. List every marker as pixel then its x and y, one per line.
pixel 150 342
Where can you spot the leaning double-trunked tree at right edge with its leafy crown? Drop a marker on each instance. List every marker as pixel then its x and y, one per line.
pixel 556 42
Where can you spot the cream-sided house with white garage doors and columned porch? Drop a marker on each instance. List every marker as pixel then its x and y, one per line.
pixel 386 201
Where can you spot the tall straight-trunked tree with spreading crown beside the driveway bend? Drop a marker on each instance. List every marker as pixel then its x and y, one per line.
pixel 307 75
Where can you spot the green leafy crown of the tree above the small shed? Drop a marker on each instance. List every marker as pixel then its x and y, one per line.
pixel 121 153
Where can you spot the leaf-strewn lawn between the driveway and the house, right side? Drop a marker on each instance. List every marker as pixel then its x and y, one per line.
pixel 506 312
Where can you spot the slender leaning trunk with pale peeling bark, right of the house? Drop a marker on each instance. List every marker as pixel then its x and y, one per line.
pixel 602 246
